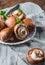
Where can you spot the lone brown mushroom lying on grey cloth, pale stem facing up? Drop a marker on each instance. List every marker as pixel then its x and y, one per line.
pixel 35 55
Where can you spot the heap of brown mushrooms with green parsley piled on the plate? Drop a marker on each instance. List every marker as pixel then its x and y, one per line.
pixel 16 23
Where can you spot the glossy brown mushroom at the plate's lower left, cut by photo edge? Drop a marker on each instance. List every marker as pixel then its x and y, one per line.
pixel 5 33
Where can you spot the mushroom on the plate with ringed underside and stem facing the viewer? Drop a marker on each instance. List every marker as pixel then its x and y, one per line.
pixel 21 31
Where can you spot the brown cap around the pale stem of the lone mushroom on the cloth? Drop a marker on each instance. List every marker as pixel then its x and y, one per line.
pixel 32 61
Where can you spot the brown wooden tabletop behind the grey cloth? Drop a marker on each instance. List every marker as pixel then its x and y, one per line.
pixel 8 3
